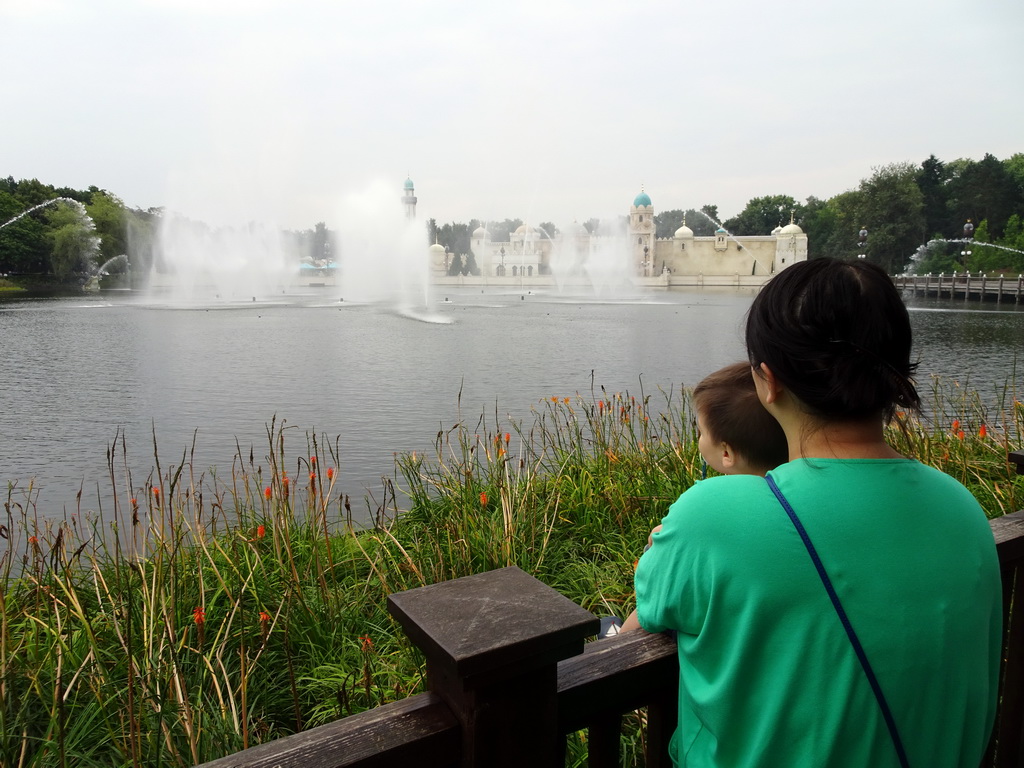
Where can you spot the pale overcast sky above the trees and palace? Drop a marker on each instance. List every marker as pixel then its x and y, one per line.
pixel 284 113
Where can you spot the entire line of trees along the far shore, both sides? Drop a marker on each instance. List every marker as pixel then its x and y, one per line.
pixel 911 212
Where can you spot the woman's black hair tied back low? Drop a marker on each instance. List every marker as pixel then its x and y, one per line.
pixel 838 336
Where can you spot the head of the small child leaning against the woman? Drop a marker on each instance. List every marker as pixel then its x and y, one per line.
pixel 738 436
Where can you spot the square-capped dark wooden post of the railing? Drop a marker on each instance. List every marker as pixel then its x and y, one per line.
pixel 493 643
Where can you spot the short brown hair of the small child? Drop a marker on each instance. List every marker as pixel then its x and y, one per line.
pixel 731 411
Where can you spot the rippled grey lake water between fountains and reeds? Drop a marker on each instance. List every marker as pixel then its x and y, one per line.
pixel 78 372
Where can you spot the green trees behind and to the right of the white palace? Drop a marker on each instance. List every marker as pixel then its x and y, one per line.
pixel 909 211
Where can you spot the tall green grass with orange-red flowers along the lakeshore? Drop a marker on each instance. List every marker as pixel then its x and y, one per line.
pixel 206 613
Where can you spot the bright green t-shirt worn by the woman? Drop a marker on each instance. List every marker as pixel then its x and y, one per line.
pixel 769 676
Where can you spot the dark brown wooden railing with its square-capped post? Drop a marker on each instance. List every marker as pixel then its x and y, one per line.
pixel 510 678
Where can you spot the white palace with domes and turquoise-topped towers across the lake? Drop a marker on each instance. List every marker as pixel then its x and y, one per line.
pixel 532 259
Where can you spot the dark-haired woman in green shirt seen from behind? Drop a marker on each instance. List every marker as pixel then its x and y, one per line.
pixel 770 676
